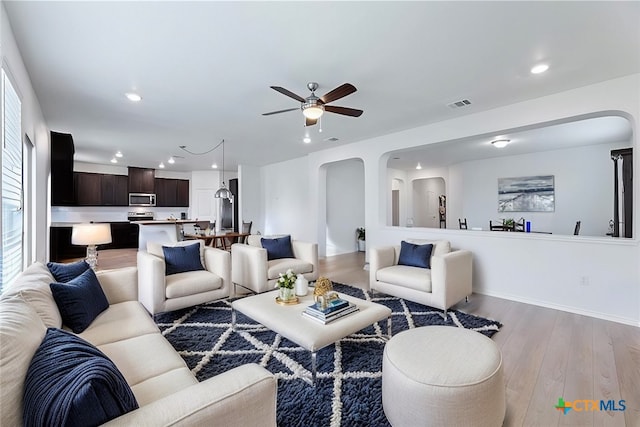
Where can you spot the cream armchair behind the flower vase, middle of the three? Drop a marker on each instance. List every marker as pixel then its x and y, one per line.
pixel 251 269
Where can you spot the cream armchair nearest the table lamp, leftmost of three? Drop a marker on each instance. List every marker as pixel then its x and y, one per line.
pixel 159 292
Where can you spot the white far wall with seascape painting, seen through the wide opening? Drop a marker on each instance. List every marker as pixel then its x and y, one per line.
pixel 583 179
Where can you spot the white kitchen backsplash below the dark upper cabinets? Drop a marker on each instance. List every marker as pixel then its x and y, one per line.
pixel 108 214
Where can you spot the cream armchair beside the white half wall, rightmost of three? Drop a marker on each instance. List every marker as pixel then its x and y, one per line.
pixel 447 282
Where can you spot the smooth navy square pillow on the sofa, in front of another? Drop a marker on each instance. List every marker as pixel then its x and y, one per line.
pixel 79 300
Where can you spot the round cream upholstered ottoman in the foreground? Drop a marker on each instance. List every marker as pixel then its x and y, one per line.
pixel 442 376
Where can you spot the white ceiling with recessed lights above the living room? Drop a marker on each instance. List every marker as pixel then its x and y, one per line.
pixel 204 68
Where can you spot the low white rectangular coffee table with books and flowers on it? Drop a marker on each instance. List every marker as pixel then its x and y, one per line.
pixel 288 321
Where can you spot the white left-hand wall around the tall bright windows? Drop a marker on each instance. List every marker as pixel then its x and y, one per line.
pixel 35 127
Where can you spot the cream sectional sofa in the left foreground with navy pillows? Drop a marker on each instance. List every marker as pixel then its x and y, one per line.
pixel 165 389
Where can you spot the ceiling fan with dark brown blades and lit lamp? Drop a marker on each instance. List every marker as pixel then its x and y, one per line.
pixel 313 107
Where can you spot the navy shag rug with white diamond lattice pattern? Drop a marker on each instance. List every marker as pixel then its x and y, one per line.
pixel 348 383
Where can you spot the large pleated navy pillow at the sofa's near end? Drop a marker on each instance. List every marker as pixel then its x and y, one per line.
pixel 71 383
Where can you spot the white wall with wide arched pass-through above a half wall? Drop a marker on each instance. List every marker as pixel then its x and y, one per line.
pixel 542 269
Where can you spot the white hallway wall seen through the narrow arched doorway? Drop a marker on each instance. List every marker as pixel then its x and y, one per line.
pixel 344 204
